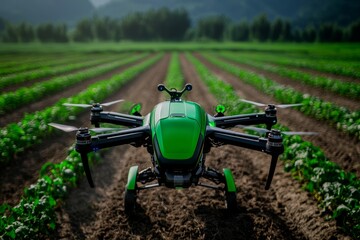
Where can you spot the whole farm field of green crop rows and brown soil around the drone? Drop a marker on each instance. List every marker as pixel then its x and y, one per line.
pixel 315 192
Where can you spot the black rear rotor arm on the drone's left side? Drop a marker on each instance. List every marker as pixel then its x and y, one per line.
pixel 117 118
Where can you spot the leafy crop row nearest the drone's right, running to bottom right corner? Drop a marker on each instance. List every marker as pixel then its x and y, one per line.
pixel 337 191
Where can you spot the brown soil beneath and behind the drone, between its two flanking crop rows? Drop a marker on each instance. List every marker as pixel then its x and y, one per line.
pixel 283 212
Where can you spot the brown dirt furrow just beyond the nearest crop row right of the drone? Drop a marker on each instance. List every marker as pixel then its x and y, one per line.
pixel 338 147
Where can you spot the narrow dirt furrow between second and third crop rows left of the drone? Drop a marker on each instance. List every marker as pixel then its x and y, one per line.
pixel 47 101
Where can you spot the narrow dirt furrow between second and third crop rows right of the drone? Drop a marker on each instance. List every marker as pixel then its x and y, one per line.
pixel 326 95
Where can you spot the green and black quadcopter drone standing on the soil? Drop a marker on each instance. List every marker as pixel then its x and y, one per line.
pixel 178 134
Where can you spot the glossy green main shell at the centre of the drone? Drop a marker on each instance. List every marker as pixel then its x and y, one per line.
pixel 177 126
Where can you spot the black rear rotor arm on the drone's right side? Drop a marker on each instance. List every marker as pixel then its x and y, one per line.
pixel 245 119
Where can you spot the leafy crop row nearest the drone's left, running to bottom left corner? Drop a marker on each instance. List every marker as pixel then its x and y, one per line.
pixel 35 216
